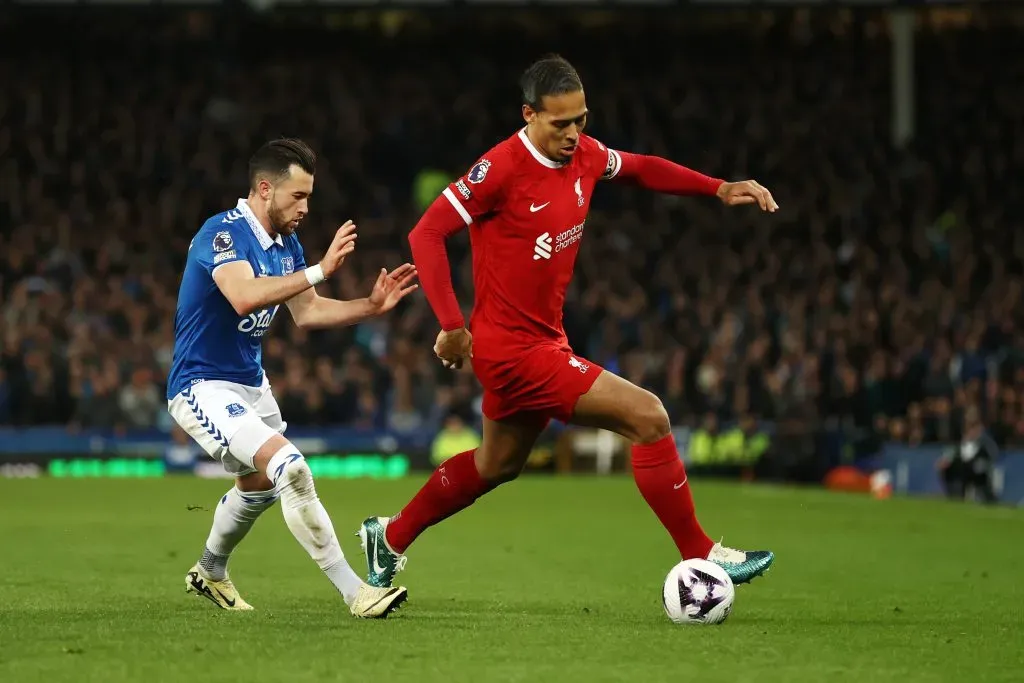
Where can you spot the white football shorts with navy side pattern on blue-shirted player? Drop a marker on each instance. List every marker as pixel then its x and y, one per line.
pixel 231 421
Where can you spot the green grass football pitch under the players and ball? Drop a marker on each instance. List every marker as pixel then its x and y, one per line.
pixel 545 580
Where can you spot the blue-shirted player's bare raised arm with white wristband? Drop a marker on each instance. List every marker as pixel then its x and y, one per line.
pixel 247 293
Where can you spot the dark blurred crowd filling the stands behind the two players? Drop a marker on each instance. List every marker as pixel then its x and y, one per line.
pixel 885 295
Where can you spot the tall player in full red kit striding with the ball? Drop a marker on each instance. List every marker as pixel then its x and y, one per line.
pixel 526 204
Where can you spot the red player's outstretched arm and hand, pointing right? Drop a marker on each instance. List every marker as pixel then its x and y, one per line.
pixel 663 176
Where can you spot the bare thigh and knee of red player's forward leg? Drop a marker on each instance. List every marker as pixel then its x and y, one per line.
pixel 619 406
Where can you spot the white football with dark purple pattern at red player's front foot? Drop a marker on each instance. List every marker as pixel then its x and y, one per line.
pixel 698 592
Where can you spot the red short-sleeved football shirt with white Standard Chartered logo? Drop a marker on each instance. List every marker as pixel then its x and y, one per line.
pixel 527 217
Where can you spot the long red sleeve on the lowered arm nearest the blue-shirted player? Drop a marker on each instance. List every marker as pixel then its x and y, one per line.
pixel 475 195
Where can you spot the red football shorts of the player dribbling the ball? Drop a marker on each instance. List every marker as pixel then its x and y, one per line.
pixel 545 381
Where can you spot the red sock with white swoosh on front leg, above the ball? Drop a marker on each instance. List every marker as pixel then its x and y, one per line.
pixel 662 481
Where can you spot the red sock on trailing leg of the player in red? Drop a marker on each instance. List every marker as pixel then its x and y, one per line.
pixel 453 487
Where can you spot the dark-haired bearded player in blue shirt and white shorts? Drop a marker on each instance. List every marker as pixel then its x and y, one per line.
pixel 242 266
